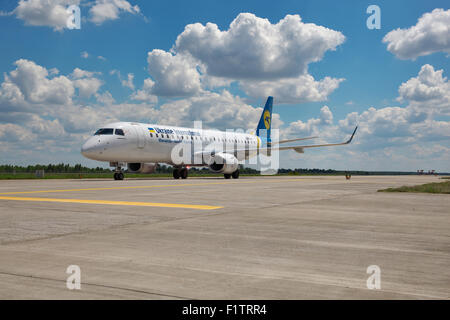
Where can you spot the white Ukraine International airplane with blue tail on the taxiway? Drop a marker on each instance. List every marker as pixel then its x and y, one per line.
pixel 140 147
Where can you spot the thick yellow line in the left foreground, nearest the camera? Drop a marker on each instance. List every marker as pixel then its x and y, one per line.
pixel 118 203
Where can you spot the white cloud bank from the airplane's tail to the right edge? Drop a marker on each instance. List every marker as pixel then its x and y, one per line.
pixel 399 138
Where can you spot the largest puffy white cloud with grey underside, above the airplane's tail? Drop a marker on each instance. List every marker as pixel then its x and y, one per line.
pixel 264 58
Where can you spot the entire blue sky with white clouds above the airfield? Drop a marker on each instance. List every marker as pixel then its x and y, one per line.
pixel 176 62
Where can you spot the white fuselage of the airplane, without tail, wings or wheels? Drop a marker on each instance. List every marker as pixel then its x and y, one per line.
pixel 153 143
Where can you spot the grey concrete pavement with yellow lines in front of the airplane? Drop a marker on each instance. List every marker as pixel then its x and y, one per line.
pixel 258 238
